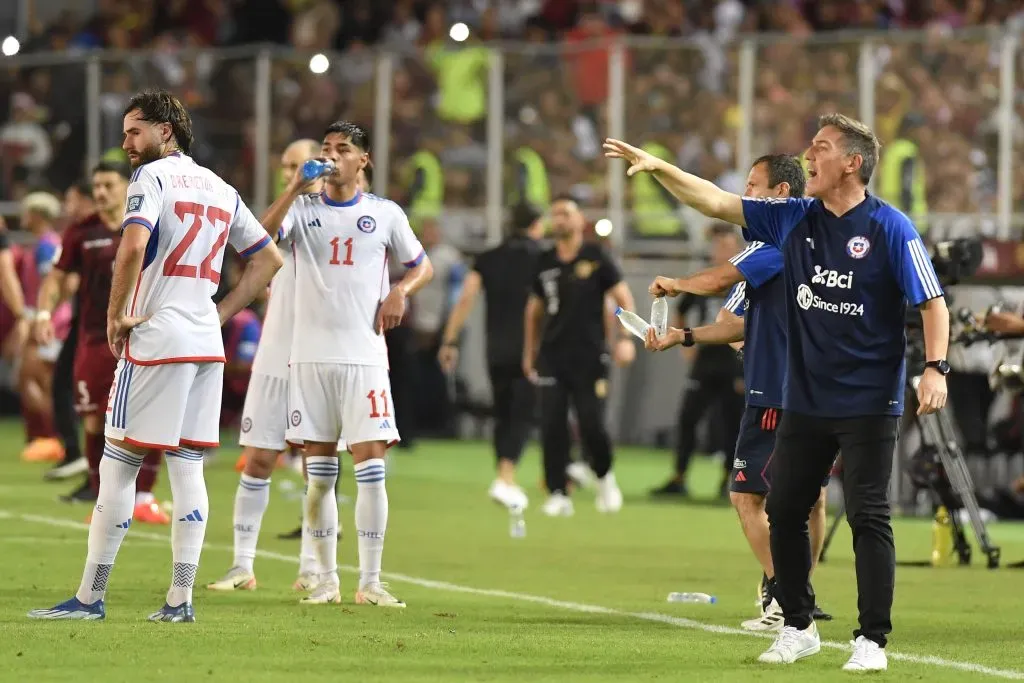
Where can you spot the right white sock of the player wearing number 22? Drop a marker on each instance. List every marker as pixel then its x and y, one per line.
pixel 192 509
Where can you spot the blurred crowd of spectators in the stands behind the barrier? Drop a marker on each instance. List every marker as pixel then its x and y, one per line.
pixel 937 90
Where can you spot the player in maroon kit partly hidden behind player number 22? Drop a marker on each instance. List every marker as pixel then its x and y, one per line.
pixel 88 255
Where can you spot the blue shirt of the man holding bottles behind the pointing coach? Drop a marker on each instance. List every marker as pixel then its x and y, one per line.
pixel 761 301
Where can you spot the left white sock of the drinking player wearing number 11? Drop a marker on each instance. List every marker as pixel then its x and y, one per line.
pixel 321 514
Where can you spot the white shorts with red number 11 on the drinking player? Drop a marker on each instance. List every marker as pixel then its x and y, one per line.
pixel 328 402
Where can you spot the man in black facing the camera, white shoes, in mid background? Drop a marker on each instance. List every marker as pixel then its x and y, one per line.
pixel 565 353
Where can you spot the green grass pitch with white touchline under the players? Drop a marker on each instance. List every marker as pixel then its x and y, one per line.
pixel 579 600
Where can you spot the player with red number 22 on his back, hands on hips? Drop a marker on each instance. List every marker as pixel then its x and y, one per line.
pixel 164 327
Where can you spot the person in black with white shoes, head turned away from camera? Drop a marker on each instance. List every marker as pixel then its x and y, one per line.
pixel 505 274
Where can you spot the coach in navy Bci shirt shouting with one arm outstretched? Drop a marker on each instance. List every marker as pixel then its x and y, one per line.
pixel 852 263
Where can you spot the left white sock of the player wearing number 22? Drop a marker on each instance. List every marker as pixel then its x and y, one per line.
pixel 111 520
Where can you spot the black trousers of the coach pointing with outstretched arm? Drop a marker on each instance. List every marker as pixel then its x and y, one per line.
pixel 805 449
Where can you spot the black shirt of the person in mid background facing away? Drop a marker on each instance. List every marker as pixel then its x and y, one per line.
pixel 506 273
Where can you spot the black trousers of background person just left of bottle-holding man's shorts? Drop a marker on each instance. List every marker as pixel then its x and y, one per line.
pixel 716 393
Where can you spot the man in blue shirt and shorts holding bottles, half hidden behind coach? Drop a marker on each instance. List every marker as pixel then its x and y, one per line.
pixel 759 296
